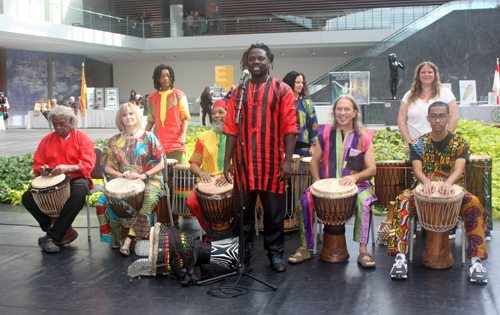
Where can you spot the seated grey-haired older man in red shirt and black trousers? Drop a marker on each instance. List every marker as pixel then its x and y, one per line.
pixel 65 151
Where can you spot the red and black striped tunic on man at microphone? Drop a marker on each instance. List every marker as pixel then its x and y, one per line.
pixel 268 115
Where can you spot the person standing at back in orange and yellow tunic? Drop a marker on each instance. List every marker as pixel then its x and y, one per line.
pixel 171 103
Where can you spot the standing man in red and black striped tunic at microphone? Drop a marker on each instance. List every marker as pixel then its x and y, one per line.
pixel 269 128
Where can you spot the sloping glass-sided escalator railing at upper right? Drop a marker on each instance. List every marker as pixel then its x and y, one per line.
pixel 412 28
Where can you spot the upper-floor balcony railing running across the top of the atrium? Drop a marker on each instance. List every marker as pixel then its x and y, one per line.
pixel 55 11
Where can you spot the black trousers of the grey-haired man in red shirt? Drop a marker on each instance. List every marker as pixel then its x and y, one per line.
pixel 79 187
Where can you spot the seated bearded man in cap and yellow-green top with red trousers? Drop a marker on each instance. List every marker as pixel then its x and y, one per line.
pixel 207 160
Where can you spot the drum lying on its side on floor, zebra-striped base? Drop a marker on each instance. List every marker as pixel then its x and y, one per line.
pixel 164 248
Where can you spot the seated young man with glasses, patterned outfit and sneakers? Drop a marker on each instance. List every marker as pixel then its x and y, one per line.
pixel 439 156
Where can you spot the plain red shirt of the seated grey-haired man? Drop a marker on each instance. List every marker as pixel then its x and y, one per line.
pixel 77 149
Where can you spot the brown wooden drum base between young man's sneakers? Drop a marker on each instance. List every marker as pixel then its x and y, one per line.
pixel 437 253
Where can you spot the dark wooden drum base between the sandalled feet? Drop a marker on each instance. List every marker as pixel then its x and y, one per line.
pixel 334 244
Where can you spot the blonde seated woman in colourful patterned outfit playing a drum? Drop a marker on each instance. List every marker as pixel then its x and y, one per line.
pixel 132 154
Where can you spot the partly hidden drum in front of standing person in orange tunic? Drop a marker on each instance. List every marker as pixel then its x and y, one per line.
pixel 183 185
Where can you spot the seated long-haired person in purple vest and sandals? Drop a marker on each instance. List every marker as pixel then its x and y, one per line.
pixel 344 150
